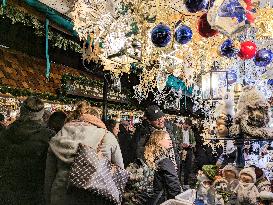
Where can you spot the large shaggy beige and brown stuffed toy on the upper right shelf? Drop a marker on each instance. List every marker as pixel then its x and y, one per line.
pixel 253 115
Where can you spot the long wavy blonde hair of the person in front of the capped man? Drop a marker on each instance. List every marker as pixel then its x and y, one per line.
pixel 153 150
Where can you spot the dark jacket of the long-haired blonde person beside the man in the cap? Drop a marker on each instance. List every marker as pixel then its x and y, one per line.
pixel 166 183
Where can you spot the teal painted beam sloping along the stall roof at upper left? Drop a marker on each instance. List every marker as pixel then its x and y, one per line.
pixel 52 15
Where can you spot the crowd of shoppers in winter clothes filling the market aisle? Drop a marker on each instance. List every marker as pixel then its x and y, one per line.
pixel 37 152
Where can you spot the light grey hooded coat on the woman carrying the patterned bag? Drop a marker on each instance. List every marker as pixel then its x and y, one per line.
pixel 61 154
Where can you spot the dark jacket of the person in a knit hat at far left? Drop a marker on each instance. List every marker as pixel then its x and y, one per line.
pixel 22 173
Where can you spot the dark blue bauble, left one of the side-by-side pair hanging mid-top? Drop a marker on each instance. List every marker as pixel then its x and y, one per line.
pixel 161 35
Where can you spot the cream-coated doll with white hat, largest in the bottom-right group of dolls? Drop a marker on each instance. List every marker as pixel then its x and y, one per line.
pixel 247 192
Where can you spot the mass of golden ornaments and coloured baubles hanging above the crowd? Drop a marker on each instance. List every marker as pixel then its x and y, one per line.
pixel 182 39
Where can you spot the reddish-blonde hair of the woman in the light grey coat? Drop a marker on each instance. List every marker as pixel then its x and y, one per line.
pixel 83 107
